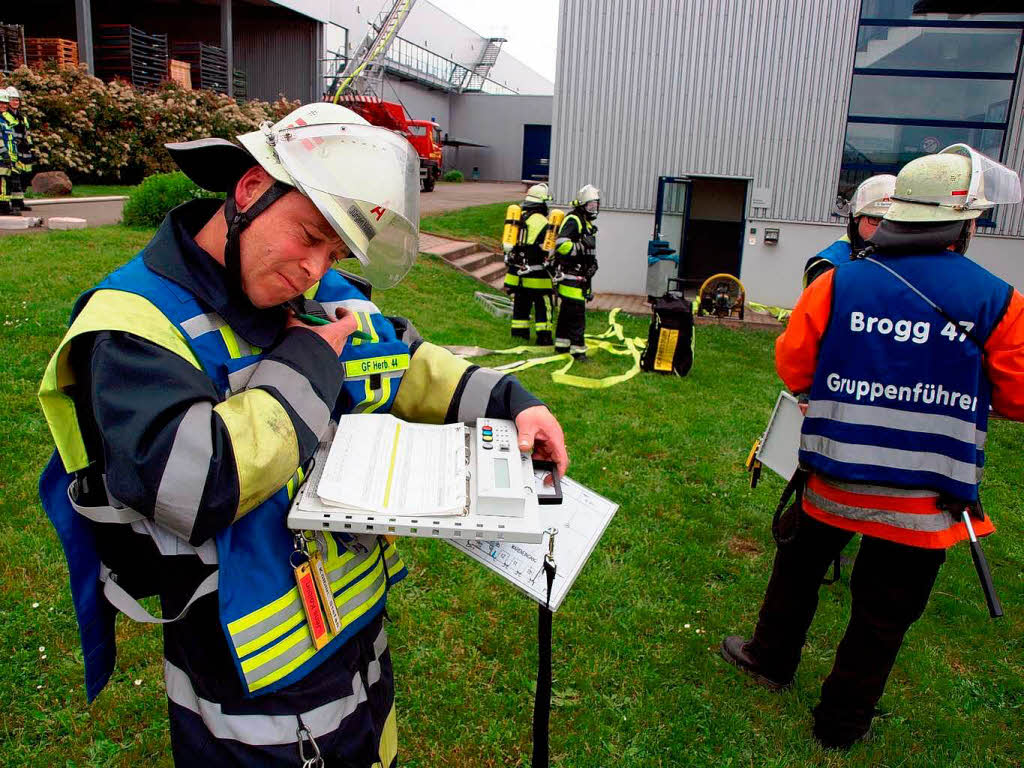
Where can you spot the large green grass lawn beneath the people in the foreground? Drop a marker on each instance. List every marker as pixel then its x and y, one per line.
pixel 634 686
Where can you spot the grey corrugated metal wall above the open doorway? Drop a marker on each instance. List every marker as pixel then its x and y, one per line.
pixel 755 89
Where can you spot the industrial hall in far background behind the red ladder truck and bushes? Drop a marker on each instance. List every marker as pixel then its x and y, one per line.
pixel 499 122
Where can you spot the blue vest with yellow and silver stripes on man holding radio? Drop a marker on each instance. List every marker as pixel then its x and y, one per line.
pixel 261 615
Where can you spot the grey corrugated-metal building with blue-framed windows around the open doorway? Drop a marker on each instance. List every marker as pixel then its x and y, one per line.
pixel 774 111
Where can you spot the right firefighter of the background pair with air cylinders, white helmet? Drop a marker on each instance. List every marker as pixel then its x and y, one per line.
pixel 576 264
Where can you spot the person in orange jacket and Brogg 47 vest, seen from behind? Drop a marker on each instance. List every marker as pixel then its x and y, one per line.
pixel 894 431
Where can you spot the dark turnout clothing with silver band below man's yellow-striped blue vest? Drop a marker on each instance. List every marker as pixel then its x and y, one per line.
pixel 354 727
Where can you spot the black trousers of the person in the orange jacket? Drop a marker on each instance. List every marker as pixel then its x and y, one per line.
pixel 889 587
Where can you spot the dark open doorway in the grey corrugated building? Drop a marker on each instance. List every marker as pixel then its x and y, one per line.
pixel 714 231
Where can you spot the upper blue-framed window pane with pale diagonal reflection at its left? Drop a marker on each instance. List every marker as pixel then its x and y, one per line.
pixel 943 50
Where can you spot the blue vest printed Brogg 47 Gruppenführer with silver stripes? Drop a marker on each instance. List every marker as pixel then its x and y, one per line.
pixel 901 396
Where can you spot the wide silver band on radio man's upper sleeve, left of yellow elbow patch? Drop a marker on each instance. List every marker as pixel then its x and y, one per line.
pixel 185 475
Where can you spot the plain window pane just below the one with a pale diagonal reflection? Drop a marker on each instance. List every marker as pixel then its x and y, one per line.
pixel 930 99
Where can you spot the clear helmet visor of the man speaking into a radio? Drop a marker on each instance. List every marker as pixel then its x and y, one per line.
pixel 366 182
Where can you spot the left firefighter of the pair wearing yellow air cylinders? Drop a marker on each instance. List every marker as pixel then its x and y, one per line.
pixel 528 277
